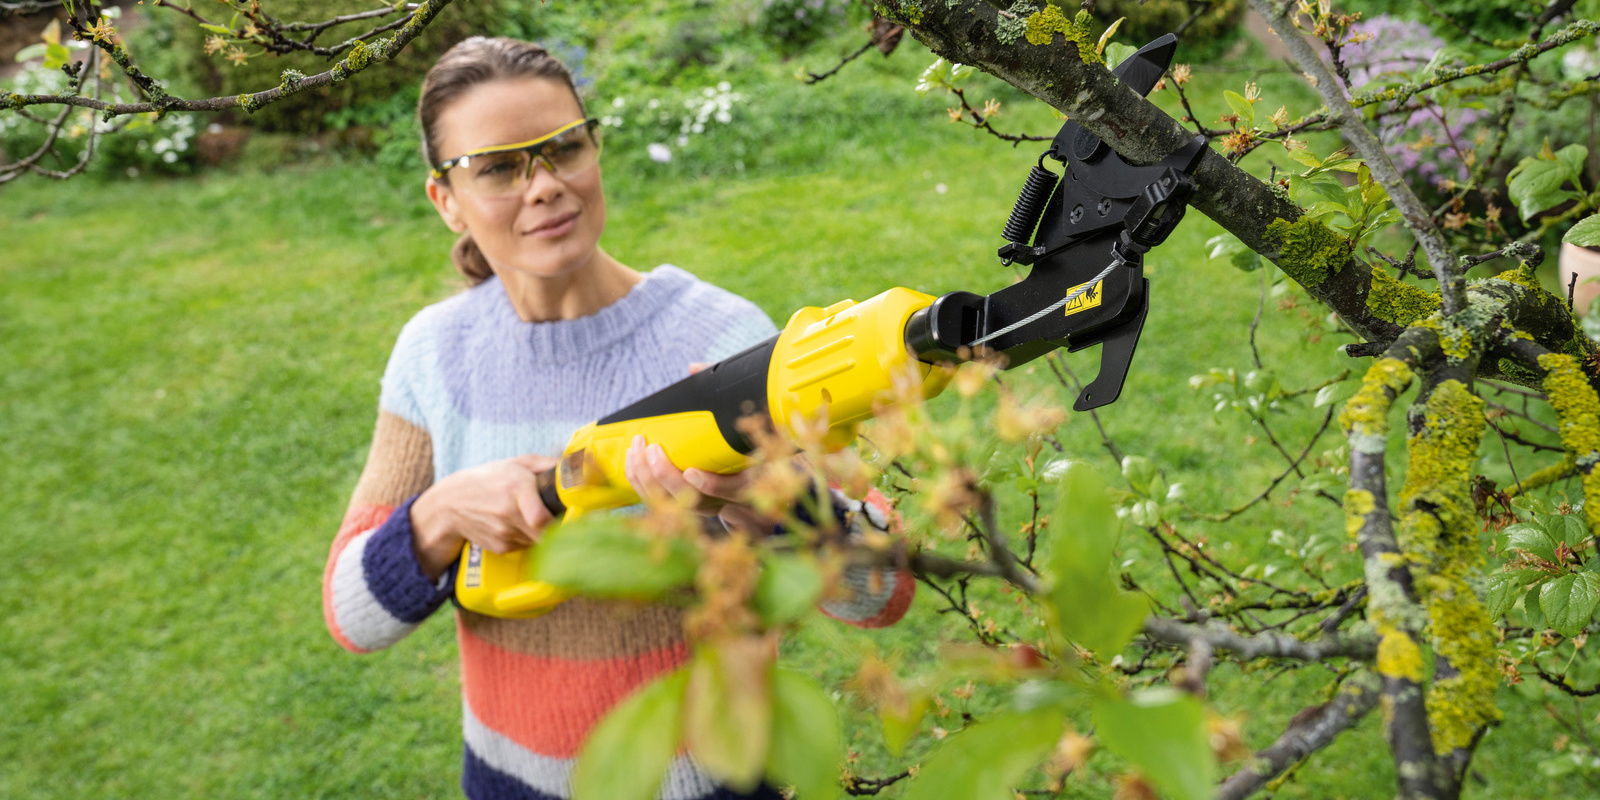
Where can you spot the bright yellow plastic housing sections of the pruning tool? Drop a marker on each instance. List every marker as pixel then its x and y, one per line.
pixel 841 362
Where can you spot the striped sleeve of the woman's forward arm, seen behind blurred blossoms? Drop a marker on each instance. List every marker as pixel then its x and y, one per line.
pixel 870 596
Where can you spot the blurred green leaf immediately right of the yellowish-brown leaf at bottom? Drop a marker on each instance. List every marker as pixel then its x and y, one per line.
pixel 807 745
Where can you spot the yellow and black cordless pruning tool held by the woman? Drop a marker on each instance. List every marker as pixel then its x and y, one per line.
pixel 1084 234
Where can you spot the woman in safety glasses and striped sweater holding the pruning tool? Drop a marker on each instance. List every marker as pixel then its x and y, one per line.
pixel 484 388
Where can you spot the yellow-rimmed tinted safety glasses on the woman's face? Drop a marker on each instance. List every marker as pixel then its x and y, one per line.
pixel 506 169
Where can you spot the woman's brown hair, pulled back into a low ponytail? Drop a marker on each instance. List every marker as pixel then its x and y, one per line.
pixel 479 60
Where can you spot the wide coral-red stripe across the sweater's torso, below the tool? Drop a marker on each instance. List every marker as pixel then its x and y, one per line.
pixel 550 705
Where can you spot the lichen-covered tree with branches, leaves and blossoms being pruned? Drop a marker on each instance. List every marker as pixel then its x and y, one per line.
pixel 1460 585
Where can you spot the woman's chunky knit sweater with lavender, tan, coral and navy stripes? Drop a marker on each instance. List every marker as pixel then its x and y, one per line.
pixel 471 383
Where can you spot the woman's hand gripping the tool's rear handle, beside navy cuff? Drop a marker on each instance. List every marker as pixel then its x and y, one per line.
pixel 495 506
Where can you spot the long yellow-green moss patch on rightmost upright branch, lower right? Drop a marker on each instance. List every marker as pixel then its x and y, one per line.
pixel 1439 535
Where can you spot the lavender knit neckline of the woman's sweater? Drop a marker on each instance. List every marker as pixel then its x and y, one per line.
pixel 562 342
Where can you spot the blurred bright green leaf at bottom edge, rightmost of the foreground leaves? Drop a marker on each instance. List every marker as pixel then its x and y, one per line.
pixel 1161 732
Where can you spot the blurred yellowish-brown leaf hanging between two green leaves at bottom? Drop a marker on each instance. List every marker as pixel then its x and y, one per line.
pixel 729 710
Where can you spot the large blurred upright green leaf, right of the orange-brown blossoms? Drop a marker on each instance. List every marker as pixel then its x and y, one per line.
pixel 1089 606
